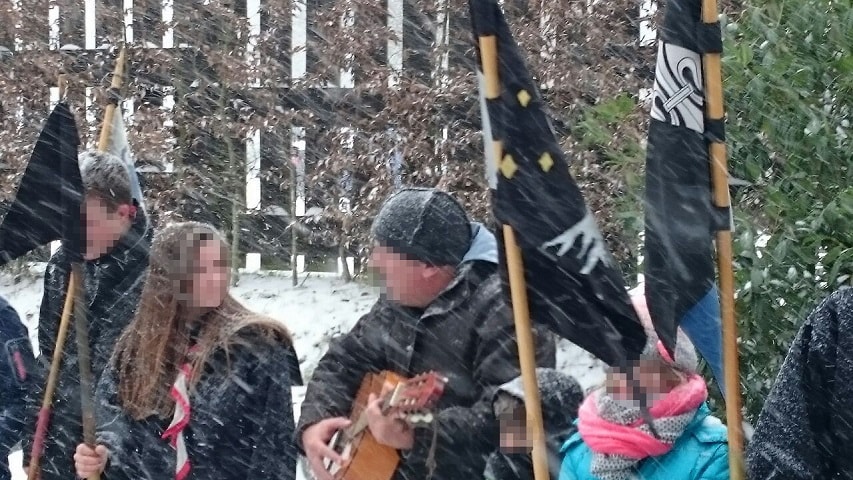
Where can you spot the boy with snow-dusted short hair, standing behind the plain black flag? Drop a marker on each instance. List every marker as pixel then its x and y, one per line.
pixel 116 257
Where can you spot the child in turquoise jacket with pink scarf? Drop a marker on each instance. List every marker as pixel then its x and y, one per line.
pixel 613 442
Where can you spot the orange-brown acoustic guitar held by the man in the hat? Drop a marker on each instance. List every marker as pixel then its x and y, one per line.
pixel 410 400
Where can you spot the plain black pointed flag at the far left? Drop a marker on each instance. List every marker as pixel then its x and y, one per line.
pixel 46 206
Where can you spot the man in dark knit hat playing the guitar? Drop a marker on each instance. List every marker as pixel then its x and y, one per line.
pixel 442 309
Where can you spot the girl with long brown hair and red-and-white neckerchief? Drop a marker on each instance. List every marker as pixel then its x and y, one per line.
pixel 198 386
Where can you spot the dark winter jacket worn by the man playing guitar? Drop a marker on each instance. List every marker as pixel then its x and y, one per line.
pixel 466 334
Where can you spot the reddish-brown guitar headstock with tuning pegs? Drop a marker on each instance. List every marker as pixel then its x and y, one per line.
pixel 414 398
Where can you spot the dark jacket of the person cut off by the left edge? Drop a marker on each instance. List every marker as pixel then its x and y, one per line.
pixel 17 366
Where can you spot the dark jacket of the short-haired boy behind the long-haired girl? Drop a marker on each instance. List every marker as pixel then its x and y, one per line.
pixel 113 285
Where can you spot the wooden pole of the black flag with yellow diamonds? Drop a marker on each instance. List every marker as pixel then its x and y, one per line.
pixel 518 289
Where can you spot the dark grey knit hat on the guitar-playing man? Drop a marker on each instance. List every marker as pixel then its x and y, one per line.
pixel 425 224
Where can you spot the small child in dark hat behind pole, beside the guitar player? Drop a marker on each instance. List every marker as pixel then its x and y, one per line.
pixel 560 396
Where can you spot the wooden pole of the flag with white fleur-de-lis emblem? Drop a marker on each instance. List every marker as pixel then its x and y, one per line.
pixel 719 174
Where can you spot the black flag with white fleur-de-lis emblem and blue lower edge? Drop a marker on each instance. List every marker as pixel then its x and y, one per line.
pixel 680 215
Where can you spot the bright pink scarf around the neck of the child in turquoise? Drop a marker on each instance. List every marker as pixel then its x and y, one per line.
pixel 607 437
